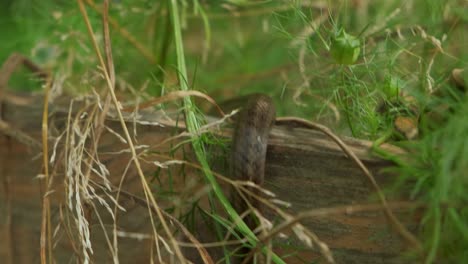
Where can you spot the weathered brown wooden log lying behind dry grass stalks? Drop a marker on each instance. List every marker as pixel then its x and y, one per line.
pixel 304 167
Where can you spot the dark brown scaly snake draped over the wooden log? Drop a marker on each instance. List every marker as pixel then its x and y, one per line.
pixel 249 147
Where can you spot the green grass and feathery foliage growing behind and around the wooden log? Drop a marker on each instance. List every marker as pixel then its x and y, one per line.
pixel 373 70
